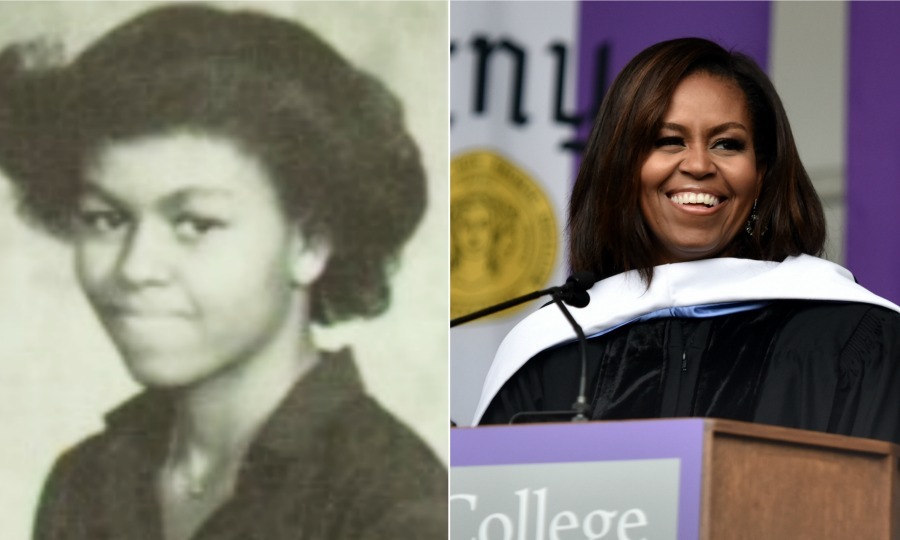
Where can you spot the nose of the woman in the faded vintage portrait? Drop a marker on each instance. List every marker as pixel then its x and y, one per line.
pixel 143 259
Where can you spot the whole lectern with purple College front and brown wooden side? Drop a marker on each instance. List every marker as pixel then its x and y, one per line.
pixel 726 480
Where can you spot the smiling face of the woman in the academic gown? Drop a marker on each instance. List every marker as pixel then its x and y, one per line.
pixel 700 180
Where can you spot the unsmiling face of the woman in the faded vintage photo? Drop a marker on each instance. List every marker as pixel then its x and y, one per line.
pixel 185 256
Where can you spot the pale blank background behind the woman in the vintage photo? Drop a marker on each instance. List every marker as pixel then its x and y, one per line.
pixel 58 371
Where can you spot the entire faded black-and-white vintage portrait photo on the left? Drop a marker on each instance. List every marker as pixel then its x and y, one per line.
pixel 223 235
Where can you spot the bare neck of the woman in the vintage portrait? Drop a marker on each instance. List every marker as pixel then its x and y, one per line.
pixel 215 422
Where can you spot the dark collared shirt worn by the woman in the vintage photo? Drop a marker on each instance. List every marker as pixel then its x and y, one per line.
pixel 329 464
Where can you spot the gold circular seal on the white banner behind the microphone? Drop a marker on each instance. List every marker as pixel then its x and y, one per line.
pixel 503 235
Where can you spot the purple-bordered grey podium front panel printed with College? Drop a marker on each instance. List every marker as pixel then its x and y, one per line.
pixel 611 468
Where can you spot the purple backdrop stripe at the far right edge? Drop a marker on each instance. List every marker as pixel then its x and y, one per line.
pixel 873 157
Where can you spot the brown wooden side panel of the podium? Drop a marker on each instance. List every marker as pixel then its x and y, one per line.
pixel 771 482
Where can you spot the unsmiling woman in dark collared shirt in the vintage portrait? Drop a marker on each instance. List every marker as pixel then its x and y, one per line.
pixel 226 180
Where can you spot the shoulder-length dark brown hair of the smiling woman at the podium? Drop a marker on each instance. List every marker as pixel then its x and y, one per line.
pixel 606 231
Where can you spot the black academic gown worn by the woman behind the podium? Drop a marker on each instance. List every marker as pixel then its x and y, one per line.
pixel 821 366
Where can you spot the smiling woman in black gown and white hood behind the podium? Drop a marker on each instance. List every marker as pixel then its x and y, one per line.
pixel 694 209
